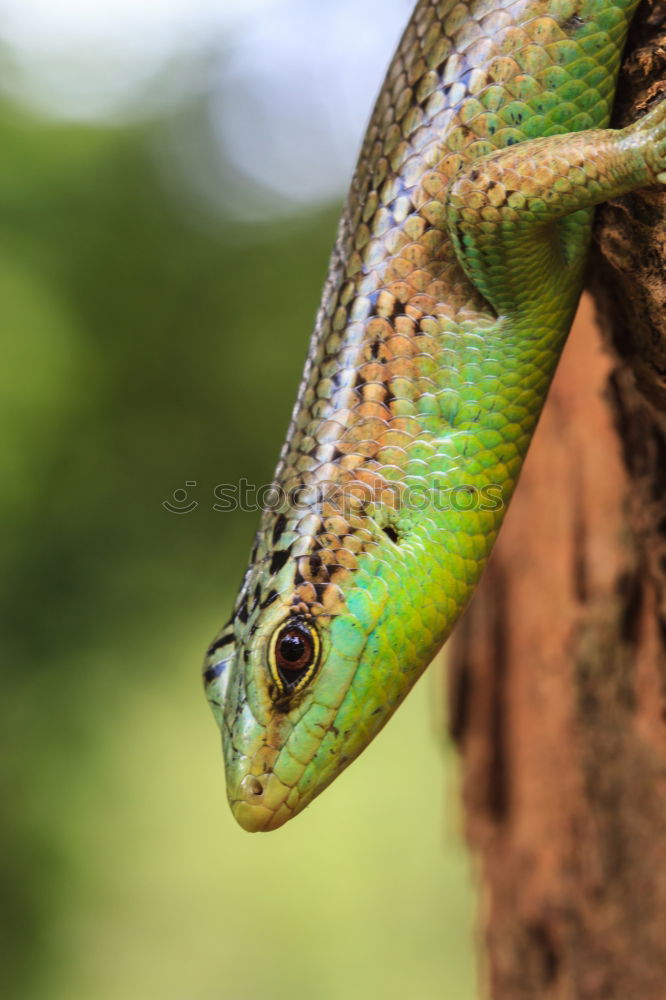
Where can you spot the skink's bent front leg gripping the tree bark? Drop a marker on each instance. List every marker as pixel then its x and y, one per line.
pixel 518 217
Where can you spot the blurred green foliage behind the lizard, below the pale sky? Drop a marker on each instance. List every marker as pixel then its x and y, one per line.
pixel 144 347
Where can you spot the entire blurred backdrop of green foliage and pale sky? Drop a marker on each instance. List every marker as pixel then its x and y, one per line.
pixel 170 180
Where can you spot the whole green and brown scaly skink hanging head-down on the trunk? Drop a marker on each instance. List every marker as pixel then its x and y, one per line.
pixel 452 286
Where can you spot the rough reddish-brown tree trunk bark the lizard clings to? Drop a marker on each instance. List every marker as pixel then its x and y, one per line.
pixel 558 671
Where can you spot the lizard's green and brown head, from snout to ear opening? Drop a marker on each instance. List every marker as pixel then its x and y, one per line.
pixel 324 643
